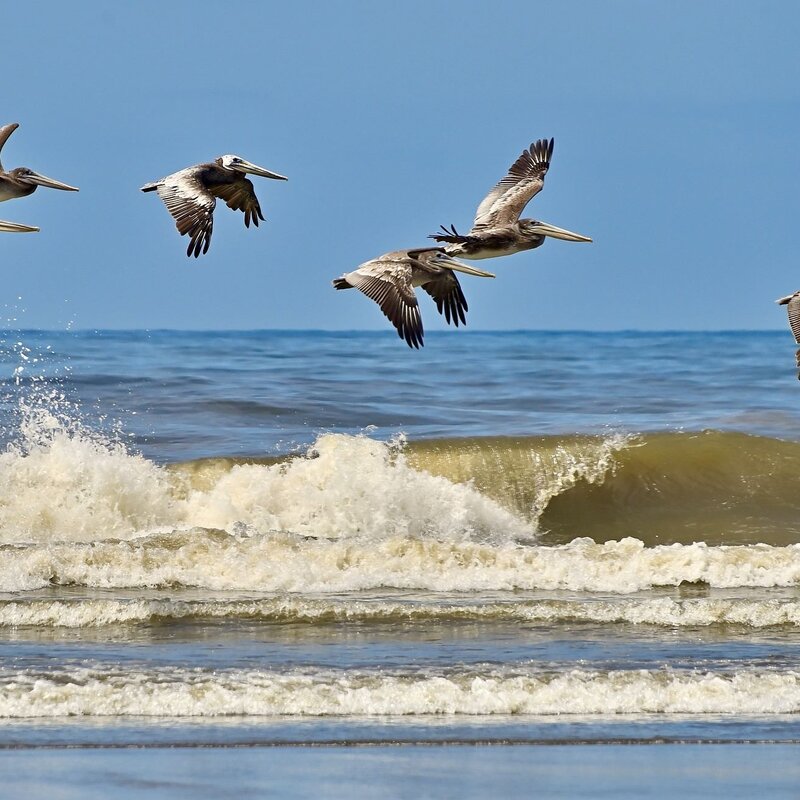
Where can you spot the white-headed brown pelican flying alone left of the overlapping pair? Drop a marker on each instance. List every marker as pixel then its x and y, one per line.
pixel 190 196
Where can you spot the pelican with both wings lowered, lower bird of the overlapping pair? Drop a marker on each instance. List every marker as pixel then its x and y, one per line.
pixel 390 281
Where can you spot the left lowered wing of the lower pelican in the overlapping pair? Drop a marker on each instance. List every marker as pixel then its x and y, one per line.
pixel 388 283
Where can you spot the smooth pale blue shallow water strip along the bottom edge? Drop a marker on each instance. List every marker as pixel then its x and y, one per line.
pixel 742 771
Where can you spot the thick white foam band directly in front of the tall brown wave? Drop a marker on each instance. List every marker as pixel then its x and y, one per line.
pixel 281 562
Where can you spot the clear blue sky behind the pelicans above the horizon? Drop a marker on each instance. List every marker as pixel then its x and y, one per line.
pixel 676 128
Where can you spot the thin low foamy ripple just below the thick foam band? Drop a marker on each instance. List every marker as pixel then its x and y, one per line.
pixel 663 611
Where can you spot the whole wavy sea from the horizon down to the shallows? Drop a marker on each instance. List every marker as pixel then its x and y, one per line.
pixel 276 539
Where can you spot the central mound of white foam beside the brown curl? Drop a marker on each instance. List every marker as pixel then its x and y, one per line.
pixel 352 486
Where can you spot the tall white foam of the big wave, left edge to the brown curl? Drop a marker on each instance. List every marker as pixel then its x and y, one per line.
pixel 352 486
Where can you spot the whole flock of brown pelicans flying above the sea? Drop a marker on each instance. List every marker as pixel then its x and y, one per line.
pixel 190 196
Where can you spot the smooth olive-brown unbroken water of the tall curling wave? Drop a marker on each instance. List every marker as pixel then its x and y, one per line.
pixel 710 486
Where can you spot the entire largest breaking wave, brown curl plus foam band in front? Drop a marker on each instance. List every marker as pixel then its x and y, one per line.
pixel 352 513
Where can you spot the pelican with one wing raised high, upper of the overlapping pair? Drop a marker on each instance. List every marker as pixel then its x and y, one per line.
pixel 497 229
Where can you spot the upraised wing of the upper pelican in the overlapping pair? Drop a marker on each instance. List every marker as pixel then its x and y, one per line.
pixel 525 179
